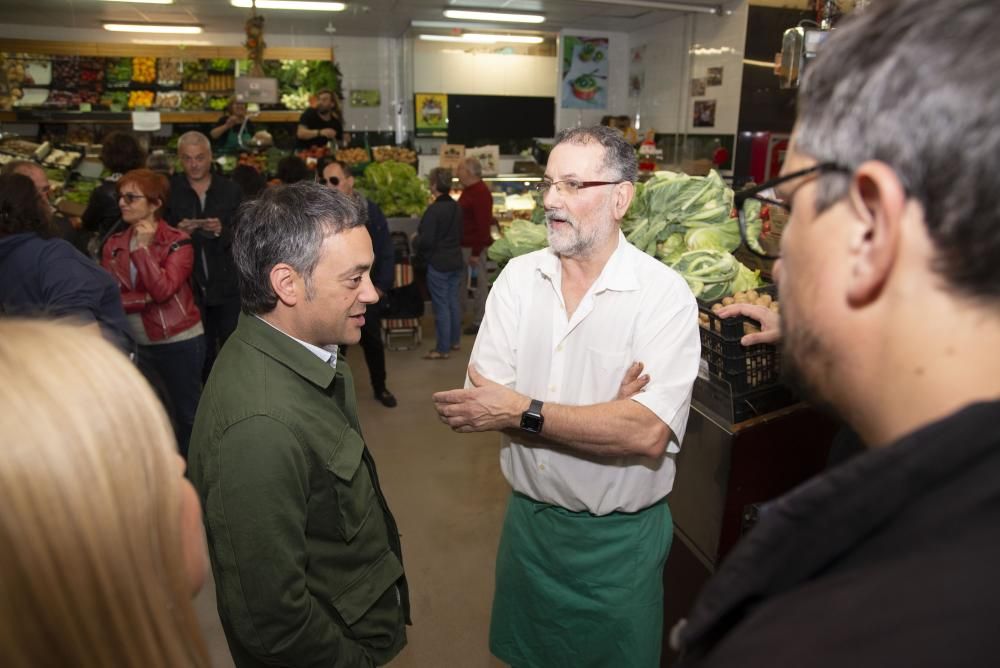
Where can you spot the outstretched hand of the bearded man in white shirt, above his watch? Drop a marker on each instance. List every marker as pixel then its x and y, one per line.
pixel 486 406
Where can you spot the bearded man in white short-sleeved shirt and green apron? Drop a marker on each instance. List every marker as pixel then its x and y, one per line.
pixel 556 368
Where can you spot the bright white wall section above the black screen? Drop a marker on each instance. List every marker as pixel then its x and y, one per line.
pixel 441 67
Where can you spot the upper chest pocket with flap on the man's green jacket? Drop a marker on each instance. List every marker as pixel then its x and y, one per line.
pixel 353 488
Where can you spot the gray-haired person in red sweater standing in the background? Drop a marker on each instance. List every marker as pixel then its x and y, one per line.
pixel 476 201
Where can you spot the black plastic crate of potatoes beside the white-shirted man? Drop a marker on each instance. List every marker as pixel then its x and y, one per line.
pixel 741 368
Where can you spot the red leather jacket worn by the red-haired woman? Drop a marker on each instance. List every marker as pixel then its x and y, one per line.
pixel 162 289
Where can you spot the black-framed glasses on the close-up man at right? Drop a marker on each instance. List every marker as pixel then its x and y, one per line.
pixel 754 210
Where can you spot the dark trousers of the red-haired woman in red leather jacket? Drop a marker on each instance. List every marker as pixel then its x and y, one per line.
pixel 174 370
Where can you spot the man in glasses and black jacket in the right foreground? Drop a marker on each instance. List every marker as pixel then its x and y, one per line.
pixel 890 317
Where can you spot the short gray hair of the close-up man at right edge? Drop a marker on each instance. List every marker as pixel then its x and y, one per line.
pixel 907 83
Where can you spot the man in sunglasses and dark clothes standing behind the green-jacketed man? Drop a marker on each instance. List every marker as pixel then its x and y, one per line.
pixel 336 175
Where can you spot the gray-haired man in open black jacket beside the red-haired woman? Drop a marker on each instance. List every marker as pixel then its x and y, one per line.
pixel 204 205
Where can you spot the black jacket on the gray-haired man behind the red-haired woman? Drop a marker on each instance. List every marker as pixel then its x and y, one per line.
pixel 214 271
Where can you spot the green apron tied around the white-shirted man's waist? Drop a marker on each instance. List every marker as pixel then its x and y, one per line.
pixel 579 590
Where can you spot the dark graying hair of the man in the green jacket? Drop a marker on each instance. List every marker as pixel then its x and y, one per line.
pixel 287 223
